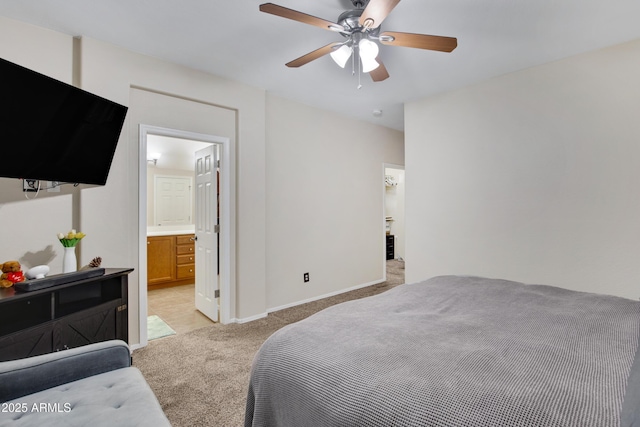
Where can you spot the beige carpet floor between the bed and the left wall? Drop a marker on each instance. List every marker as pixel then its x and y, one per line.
pixel 201 377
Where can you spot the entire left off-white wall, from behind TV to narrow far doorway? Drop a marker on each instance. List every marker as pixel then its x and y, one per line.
pixel 302 144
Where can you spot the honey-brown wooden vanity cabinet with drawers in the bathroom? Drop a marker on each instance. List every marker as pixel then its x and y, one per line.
pixel 170 260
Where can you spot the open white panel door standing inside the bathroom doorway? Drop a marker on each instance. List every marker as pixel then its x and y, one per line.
pixel 206 220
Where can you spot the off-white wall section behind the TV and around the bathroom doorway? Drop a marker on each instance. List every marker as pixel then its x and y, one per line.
pixel 109 214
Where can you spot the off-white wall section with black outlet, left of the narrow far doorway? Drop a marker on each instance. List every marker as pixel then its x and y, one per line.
pixel 324 204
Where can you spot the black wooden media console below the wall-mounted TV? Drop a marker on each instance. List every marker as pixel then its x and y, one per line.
pixel 63 311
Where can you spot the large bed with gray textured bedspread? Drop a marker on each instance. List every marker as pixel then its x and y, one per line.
pixel 454 351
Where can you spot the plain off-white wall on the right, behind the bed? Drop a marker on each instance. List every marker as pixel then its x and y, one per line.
pixel 532 176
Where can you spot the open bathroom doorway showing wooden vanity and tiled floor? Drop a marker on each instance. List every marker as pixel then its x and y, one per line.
pixel 172 251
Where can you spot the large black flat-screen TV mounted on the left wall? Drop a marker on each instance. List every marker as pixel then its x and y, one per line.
pixel 54 131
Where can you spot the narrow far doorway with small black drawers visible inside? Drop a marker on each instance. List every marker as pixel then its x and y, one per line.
pixel 394 190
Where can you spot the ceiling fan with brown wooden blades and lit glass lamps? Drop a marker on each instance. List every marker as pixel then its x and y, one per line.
pixel 361 28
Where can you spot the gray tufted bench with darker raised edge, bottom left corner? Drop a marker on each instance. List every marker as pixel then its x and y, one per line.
pixel 93 385
